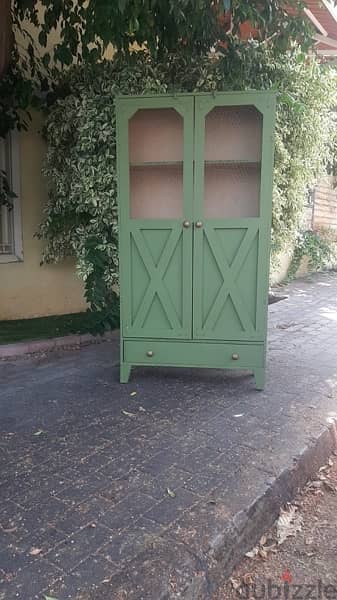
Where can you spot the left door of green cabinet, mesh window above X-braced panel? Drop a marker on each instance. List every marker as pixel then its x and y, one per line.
pixel 155 173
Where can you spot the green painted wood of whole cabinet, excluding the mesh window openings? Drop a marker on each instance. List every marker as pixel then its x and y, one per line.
pixel 195 296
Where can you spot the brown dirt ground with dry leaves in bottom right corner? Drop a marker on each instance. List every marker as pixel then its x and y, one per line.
pixel 305 564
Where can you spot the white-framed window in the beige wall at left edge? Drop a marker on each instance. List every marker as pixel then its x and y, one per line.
pixel 10 218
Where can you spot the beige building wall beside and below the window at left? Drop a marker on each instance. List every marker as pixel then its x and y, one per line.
pixel 26 288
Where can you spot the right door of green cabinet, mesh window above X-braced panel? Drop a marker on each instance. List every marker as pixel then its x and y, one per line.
pixel 233 199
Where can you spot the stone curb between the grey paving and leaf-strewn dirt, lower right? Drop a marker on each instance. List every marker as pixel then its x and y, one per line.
pixel 244 531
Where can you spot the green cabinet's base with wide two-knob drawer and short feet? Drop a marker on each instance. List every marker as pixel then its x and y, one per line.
pixel 218 355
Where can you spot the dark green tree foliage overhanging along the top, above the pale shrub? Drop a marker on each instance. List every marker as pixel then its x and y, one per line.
pixel 31 63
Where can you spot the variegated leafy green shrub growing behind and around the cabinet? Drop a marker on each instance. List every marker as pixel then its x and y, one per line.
pixel 81 213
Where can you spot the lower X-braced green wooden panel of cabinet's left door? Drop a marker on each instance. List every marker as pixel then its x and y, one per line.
pixel 160 283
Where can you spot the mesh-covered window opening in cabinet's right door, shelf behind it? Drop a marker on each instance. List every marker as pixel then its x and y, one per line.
pixel 232 162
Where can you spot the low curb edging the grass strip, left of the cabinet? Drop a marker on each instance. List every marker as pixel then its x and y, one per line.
pixel 58 343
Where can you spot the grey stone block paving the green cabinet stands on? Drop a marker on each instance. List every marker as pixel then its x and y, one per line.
pixel 118 491
